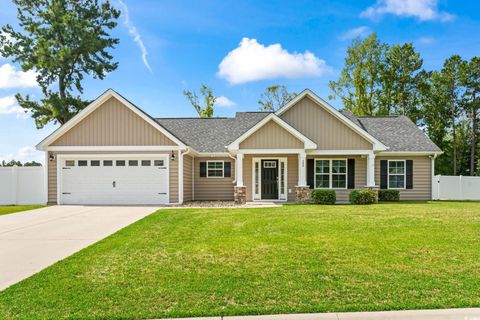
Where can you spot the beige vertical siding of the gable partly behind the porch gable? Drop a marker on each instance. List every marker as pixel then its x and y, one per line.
pixel 328 132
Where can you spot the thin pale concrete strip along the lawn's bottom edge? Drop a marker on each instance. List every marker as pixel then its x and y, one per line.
pixel 440 314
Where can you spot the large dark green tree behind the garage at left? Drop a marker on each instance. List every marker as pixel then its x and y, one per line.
pixel 62 40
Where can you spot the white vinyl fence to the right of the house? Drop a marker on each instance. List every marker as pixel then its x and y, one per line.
pixel 455 188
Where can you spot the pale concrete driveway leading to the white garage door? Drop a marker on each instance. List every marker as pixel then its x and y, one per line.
pixel 33 240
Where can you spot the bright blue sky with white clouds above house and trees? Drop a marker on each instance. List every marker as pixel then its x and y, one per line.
pixel 239 48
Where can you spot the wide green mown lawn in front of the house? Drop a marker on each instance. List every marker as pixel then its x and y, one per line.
pixel 199 262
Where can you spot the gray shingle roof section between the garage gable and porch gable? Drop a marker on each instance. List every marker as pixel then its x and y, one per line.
pixel 211 134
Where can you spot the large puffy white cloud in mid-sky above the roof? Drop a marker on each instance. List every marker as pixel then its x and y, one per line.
pixel 252 61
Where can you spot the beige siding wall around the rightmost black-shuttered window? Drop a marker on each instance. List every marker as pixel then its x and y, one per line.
pixel 422 177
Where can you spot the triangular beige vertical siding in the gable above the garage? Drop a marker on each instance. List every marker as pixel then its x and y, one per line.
pixel 113 124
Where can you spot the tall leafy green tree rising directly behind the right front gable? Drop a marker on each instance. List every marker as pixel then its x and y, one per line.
pixel 359 85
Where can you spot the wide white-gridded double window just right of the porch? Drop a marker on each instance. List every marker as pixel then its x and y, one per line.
pixel 331 174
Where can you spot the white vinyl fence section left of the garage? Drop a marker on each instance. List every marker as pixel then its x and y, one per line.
pixel 22 185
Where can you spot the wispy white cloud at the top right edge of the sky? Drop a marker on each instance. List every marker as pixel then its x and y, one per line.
pixel 422 9
